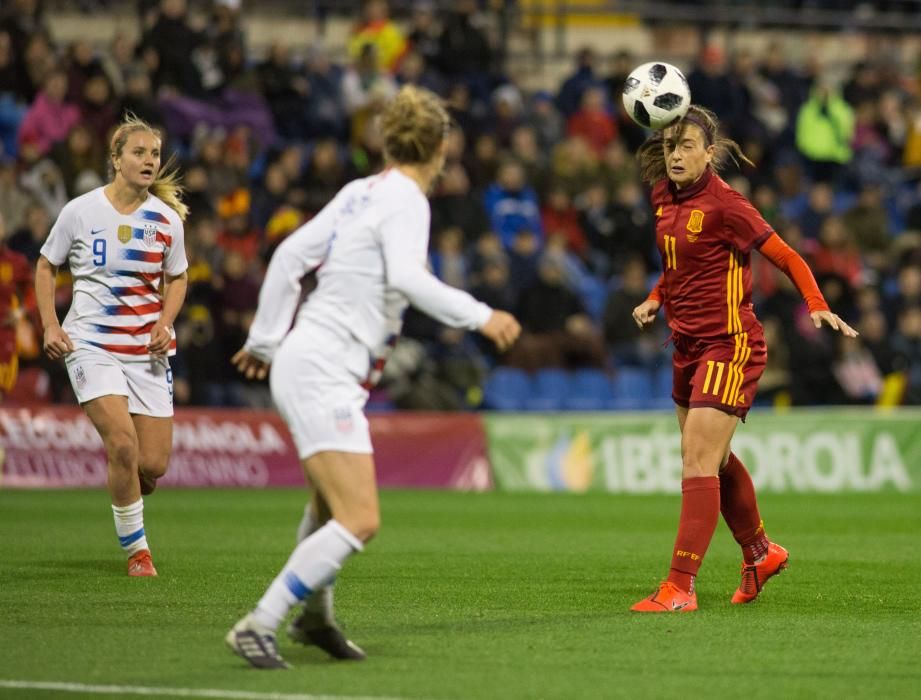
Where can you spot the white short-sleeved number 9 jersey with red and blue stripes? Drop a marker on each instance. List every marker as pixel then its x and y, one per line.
pixel 117 262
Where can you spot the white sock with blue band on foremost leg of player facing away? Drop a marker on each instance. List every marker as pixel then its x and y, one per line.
pixel 313 564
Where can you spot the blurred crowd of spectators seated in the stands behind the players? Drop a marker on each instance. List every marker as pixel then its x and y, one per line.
pixel 540 210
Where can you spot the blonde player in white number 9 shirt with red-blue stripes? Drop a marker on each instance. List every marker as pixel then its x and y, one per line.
pixel 122 241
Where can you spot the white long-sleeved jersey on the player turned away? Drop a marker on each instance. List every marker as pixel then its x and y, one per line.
pixel 370 244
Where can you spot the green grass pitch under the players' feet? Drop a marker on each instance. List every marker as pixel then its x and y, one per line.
pixel 468 596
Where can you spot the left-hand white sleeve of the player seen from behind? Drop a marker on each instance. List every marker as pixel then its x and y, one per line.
pixel 300 253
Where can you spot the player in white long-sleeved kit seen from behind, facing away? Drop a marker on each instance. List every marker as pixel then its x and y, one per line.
pixel 369 247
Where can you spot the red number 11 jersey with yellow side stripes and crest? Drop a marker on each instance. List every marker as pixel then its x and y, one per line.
pixel 705 234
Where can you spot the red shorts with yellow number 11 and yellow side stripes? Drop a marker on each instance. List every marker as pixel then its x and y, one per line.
pixel 721 373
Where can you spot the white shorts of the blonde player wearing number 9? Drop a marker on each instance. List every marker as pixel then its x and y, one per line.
pixel 148 384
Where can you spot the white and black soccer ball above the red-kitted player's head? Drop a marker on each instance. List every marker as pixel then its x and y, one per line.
pixel 656 95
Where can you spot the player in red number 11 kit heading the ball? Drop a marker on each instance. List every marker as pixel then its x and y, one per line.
pixel 705 232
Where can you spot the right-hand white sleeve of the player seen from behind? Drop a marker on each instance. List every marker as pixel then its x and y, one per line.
pixel 404 240
